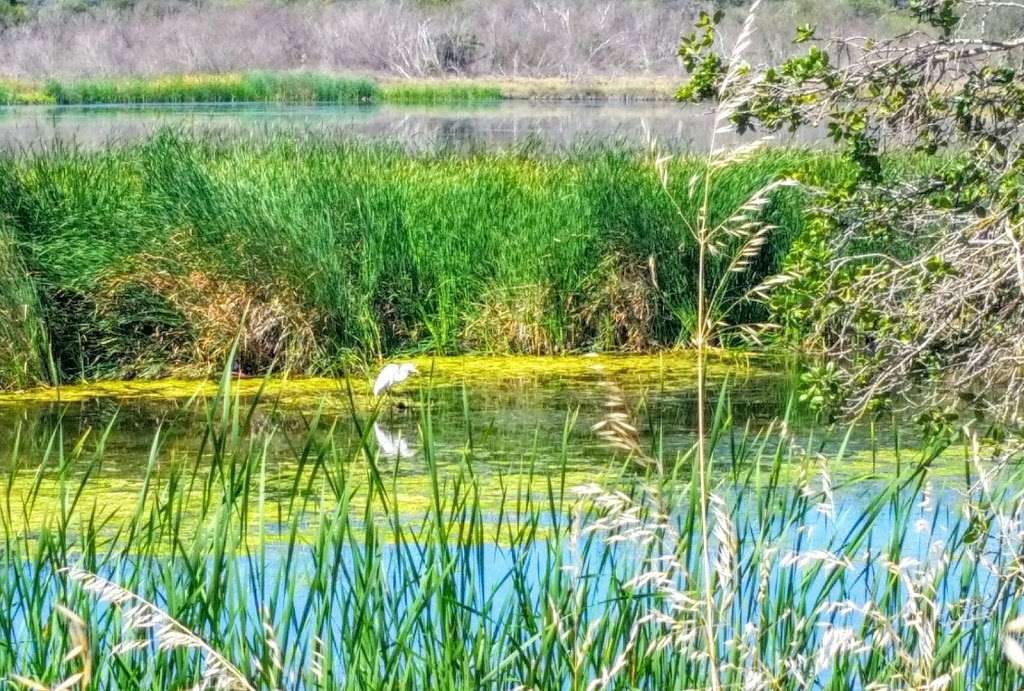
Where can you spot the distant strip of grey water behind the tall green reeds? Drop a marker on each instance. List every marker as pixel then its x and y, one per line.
pixel 472 127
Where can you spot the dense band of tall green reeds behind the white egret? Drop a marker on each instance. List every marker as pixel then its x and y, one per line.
pixel 148 261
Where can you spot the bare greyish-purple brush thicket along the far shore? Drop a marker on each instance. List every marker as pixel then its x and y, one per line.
pixel 510 38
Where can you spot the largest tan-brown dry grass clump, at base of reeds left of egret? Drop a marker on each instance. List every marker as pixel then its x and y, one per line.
pixel 273 327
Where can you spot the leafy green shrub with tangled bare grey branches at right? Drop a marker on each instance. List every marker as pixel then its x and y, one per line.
pixel 912 292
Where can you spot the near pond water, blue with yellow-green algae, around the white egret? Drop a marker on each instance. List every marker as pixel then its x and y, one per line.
pixel 285 504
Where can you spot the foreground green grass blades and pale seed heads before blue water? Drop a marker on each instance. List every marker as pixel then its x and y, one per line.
pixel 321 568
